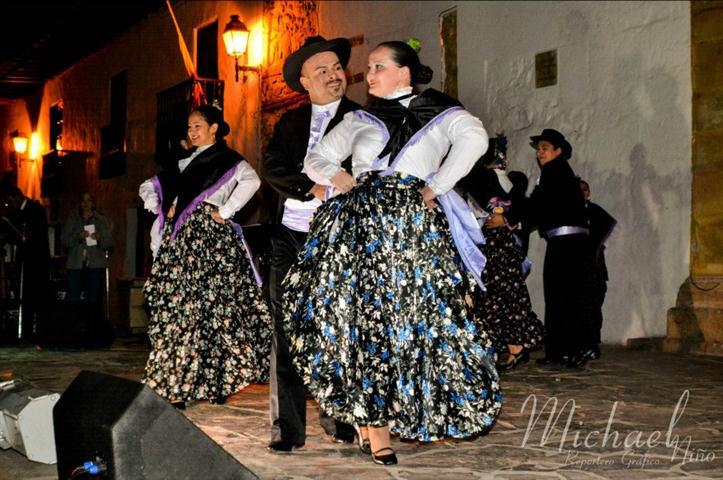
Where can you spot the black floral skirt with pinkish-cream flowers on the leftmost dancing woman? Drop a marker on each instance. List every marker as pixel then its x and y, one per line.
pixel 210 329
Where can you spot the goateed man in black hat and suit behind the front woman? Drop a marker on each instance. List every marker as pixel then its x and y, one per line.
pixel 317 68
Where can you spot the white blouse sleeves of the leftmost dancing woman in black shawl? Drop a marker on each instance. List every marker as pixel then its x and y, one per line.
pixel 229 198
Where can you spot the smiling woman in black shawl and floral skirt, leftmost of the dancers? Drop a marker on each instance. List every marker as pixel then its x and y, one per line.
pixel 209 327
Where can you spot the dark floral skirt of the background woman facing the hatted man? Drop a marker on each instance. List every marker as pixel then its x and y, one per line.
pixel 505 309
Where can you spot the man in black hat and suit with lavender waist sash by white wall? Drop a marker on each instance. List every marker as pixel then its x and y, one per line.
pixel 557 207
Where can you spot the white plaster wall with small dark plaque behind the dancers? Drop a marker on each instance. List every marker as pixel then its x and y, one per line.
pixel 623 98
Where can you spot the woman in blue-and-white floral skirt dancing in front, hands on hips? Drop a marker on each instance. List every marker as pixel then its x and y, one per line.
pixel 381 333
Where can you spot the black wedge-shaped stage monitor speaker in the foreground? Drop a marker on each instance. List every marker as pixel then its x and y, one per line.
pixel 127 428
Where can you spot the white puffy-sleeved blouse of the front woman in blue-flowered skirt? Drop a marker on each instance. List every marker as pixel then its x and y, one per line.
pixel 458 132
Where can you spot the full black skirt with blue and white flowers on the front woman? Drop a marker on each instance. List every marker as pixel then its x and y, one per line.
pixel 379 328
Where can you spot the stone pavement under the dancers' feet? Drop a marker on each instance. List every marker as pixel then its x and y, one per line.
pixel 629 415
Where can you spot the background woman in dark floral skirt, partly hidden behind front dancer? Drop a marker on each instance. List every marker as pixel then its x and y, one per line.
pixel 504 309
